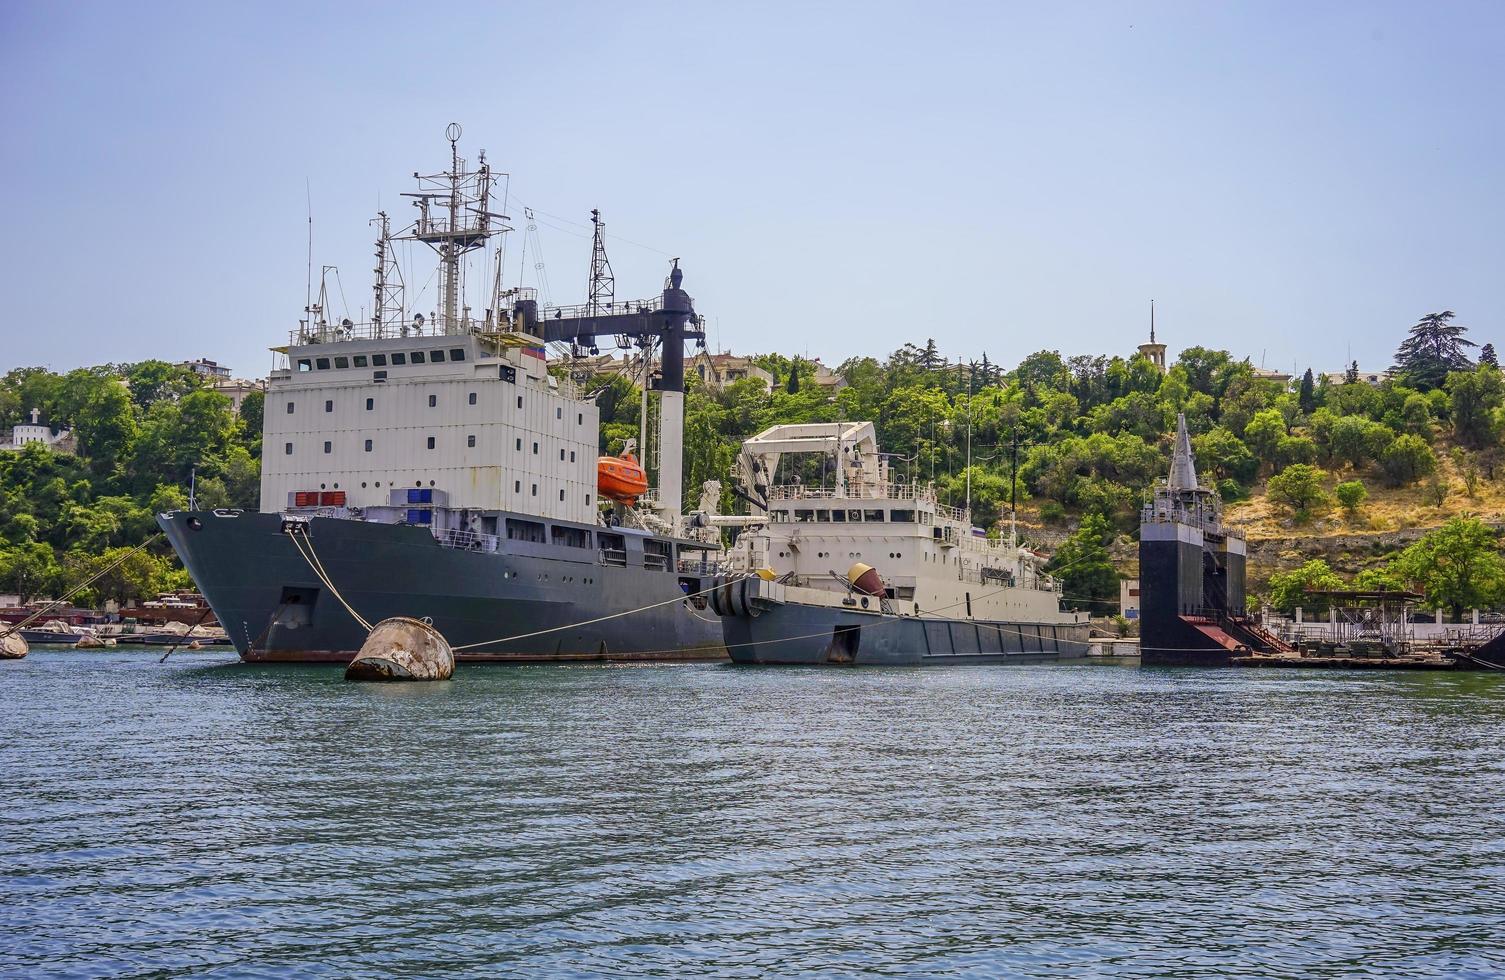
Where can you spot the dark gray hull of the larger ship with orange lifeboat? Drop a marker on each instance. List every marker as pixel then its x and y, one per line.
pixel 275 607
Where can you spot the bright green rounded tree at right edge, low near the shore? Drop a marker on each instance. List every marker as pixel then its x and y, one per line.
pixel 1458 567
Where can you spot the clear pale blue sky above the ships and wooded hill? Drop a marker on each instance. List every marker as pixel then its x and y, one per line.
pixel 1291 181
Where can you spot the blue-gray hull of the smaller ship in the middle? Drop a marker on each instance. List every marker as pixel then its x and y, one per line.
pixel 812 635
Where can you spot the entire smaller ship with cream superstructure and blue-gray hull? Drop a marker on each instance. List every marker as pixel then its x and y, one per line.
pixel 857 568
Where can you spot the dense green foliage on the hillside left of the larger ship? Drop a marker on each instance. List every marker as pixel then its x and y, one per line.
pixel 144 431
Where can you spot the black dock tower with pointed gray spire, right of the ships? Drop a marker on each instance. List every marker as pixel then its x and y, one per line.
pixel 1193 576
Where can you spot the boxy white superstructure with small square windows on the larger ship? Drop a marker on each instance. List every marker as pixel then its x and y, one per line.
pixel 476 419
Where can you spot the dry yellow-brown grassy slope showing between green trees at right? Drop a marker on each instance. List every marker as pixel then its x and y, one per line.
pixel 1390 520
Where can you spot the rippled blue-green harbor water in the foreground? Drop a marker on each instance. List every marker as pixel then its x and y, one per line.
pixel 213 818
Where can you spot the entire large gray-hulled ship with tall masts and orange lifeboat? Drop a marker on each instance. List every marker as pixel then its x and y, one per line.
pixel 436 467
